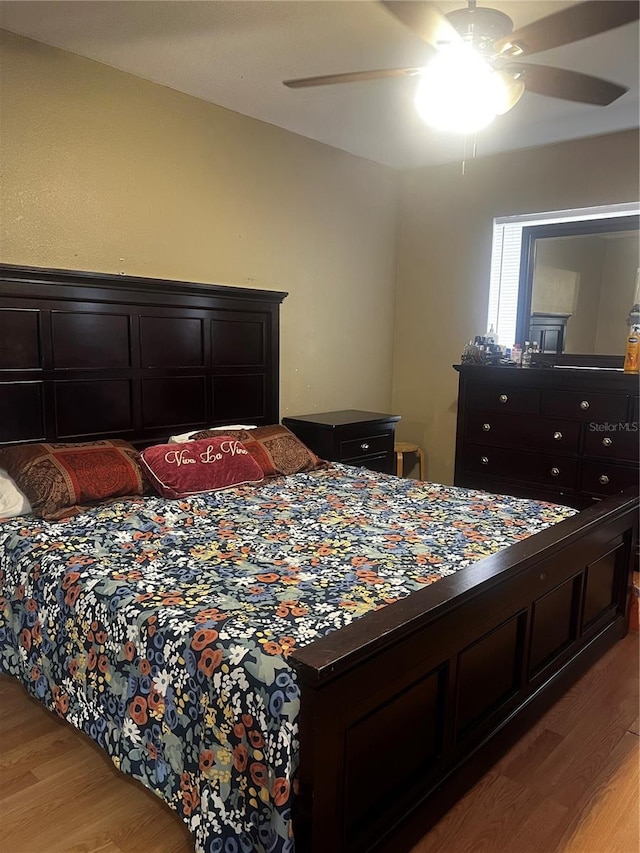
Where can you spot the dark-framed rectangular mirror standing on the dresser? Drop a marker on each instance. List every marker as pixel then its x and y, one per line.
pixel 578 283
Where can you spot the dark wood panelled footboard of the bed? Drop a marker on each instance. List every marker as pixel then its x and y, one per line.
pixel 408 706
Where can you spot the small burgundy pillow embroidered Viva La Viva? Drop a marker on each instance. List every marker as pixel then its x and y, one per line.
pixel 178 470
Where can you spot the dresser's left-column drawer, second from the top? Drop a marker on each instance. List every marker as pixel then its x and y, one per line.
pixel 544 435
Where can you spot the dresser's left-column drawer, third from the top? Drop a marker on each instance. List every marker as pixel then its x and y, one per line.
pixel 551 471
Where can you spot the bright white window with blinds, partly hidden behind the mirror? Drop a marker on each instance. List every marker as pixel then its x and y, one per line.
pixel 505 259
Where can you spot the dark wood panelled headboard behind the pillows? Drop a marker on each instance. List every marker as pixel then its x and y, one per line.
pixel 87 355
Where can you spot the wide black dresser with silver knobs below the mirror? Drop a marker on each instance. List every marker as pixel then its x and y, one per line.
pixel 568 435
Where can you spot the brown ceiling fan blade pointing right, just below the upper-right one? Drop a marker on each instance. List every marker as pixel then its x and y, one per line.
pixel 568 85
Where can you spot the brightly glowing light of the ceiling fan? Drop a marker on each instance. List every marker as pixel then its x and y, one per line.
pixel 460 92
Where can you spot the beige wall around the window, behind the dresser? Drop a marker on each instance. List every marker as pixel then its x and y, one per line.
pixel 444 261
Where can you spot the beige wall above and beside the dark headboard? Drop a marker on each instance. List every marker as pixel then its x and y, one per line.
pixel 104 171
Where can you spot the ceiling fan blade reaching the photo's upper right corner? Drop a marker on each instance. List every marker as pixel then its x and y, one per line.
pixel 569 25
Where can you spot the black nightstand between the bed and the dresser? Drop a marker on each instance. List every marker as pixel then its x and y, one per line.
pixel 349 436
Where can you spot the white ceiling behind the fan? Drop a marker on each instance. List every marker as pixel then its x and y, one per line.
pixel 236 54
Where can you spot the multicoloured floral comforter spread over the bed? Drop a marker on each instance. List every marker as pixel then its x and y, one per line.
pixel 162 628
